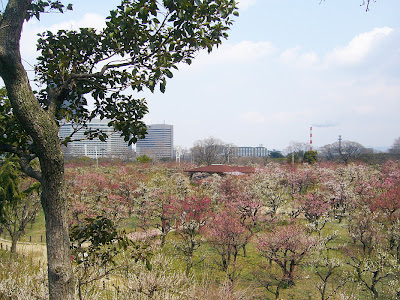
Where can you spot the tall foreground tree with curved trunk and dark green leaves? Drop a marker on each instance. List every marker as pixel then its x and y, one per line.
pixel 140 45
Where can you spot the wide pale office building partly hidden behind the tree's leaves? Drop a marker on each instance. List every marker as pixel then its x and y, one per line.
pixel 114 146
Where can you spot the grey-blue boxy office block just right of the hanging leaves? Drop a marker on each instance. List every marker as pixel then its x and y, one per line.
pixel 158 143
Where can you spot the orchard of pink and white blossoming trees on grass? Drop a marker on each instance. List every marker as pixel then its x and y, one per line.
pixel 321 231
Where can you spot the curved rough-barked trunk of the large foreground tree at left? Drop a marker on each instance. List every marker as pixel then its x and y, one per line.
pixel 41 127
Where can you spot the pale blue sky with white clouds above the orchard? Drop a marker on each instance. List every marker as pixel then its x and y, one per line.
pixel 286 66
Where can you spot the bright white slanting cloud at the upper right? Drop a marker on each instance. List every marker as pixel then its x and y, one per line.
pixel 358 48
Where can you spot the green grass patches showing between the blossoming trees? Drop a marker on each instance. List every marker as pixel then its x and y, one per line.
pixel 205 267
